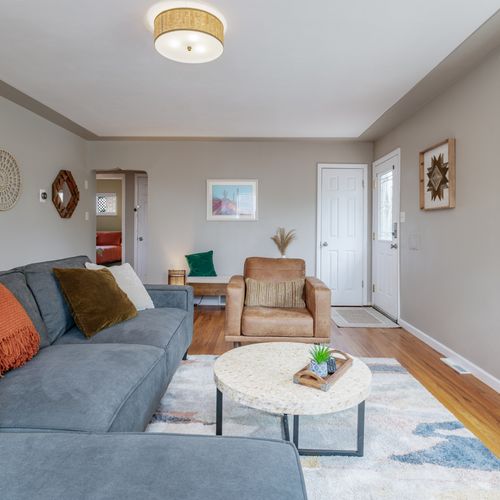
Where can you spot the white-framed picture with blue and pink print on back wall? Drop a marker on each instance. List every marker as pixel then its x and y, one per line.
pixel 232 199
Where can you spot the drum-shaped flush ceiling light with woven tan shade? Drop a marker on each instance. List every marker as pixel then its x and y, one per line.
pixel 187 32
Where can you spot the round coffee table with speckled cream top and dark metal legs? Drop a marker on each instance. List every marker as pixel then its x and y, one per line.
pixel 261 376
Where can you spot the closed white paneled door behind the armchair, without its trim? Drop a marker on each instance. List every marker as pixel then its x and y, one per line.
pixel 342 233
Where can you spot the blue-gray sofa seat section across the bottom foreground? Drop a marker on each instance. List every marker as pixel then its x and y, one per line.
pixel 155 466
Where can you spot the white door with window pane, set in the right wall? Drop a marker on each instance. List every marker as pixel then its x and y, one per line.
pixel 385 278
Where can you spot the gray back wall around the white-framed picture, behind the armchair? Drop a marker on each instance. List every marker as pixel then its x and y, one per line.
pixel 178 171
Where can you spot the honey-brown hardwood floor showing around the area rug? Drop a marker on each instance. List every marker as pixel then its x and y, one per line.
pixel 475 404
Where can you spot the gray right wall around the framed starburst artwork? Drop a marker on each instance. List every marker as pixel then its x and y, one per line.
pixel 450 287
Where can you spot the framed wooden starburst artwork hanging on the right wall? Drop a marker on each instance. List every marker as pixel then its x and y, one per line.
pixel 438 176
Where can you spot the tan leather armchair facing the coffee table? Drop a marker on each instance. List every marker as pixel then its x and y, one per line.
pixel 259 324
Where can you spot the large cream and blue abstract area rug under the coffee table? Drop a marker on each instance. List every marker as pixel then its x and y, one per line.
pixel 414 447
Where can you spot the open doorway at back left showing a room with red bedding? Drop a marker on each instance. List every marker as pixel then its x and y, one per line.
pixel 121 219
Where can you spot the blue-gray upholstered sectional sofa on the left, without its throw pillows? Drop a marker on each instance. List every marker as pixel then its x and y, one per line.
pixel 71 419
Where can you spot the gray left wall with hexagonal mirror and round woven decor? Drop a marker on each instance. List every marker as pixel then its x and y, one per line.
pixel 32 231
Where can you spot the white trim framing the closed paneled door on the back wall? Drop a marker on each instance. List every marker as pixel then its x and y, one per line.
pixel 364 167
